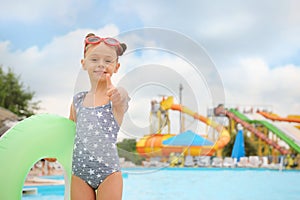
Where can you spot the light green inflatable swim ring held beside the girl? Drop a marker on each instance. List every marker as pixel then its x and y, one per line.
pixel 39 136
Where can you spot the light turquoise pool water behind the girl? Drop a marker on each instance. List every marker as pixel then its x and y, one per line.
pixel 200 183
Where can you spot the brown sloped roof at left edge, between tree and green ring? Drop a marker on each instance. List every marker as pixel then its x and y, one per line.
pixel 7 120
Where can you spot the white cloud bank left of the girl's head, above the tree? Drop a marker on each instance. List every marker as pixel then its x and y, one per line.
pixel 51 71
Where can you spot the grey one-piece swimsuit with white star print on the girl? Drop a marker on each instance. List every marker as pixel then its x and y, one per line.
pixel 95 155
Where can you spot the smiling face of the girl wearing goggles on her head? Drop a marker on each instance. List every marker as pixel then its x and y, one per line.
pixel 100 59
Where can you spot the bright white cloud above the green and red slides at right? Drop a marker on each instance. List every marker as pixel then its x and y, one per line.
pixel 253 83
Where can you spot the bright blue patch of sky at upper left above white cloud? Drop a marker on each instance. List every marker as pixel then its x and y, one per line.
pixel 38 24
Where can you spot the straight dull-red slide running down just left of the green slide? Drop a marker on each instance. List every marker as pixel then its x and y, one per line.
pixel 246 123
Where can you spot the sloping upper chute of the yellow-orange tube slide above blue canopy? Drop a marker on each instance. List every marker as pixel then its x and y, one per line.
pixel 224 137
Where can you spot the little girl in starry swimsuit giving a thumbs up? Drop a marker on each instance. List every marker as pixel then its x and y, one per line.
pixel 98 114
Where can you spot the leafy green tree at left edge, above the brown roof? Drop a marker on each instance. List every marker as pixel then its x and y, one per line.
pixel 14 96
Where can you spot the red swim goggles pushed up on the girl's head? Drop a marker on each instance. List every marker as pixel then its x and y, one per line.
pixel 108 41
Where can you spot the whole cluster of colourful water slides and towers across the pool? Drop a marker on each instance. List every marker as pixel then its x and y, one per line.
pixel 275 137
